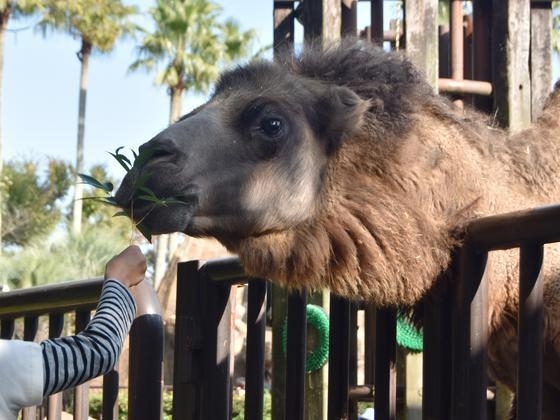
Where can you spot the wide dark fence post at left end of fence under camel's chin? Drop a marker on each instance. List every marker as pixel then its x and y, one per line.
pixel 187 375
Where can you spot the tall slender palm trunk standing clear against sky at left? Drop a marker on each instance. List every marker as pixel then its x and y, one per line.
pixel 83 55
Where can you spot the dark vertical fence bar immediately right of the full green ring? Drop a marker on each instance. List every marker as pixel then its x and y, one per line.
pixel 339 358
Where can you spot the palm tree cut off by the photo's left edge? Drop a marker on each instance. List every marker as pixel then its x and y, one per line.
pixel 9 9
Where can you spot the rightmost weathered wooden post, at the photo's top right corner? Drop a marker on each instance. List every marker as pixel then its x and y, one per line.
pixel 541 57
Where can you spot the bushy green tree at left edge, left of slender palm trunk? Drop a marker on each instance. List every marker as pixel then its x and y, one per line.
pixel 30 205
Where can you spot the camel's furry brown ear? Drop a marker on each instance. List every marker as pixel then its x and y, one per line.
pixel 341 113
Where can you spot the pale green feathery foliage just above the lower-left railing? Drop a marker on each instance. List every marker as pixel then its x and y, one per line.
pixel 68 258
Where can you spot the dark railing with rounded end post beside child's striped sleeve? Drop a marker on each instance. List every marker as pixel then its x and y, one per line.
pixel 81 297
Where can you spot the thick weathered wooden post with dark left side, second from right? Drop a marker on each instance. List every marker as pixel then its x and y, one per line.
pixel 511 32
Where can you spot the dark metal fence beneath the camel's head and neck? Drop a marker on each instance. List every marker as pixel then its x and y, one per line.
pixel 455 378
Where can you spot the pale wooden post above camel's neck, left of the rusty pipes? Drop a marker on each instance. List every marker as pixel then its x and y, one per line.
pixel 421 32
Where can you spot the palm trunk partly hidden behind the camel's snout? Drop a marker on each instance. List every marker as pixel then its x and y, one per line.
pixel 167 244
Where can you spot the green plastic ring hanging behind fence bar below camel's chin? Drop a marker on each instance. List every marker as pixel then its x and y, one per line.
pixel 317 318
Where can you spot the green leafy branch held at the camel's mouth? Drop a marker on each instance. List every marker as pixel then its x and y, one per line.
pixel 140 191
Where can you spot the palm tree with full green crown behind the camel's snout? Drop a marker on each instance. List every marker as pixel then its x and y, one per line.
pixel 190 43
